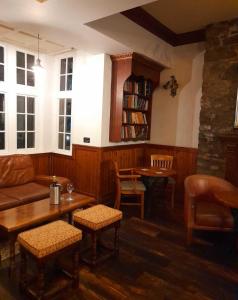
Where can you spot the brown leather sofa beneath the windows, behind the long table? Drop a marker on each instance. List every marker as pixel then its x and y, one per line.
pixel 19 184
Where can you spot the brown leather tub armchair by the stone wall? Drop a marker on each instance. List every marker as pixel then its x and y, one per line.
pixel 201 209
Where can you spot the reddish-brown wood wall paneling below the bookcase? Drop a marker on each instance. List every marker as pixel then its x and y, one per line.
pixel 91 168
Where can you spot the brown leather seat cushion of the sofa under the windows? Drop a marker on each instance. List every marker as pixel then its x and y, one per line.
pixel 28 192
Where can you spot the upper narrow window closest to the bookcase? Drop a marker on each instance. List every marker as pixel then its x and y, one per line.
pixel 66 74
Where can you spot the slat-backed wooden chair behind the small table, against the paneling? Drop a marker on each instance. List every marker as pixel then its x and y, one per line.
pixel 165 162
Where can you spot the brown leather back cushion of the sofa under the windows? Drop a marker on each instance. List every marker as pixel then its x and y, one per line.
pixel 16 170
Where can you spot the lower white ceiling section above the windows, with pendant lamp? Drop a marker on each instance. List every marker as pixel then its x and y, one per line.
pixel 60 24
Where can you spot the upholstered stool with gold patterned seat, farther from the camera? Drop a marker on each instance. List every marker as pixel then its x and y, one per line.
pixel 94 220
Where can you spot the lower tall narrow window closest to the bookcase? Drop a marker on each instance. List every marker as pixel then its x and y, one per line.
pixel 64 135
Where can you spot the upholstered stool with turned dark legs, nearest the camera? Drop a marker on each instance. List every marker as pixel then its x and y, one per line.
pixel 46 243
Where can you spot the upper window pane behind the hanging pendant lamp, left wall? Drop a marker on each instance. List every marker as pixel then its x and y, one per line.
pixel 25 74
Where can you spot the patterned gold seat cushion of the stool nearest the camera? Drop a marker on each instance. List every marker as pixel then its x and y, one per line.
pixel 49 238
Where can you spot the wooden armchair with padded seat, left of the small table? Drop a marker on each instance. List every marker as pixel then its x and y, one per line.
pixel 128 185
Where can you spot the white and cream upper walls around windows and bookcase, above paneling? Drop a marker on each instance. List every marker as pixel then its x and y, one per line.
pixel 175 121
